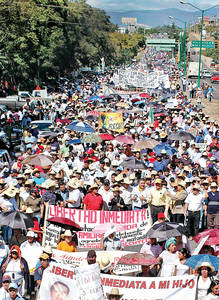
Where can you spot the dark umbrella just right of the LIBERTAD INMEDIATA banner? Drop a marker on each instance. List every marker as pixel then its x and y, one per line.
pixel 164 231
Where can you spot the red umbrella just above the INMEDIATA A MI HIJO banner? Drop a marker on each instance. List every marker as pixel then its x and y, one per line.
pixel 138 259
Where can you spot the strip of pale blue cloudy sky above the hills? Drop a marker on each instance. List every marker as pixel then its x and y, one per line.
pixel 122 5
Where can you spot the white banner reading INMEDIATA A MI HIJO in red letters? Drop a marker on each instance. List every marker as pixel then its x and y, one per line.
pixel 151 288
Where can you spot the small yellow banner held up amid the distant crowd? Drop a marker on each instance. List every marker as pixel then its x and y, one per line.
pixel 111 121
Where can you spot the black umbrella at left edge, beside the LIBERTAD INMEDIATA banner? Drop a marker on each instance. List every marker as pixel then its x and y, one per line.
pixel 16 219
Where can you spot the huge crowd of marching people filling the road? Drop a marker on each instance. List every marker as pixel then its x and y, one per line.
pixel 148 166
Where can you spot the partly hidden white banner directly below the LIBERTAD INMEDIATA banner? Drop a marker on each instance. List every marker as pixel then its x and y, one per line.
pixel 75 259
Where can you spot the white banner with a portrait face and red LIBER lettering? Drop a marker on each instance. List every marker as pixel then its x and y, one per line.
pixel 62 282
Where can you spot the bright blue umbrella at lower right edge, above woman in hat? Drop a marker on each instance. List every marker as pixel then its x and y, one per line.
pixel 196 260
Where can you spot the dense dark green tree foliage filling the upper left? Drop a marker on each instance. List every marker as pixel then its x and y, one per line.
pixel 41 39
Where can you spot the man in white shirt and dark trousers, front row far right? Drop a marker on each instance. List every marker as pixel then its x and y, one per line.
pixel 193 206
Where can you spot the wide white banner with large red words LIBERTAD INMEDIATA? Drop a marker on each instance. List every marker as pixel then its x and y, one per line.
pixel 136 224
